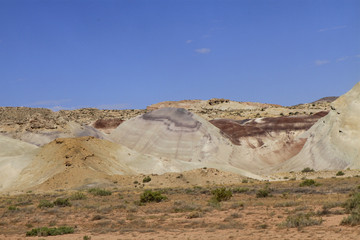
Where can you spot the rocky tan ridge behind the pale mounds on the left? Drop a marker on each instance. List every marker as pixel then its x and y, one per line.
pixel 39 126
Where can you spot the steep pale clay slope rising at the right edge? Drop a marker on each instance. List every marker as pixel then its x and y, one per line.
pixel 334 141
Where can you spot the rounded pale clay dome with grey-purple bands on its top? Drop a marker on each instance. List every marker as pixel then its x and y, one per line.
pixel 180 139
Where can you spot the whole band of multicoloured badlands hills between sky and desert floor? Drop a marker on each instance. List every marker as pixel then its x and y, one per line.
pixel 45 150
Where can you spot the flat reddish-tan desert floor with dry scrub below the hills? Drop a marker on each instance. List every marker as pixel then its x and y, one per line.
pixel 189 212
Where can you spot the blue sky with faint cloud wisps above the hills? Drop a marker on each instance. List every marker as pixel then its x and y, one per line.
pixel 132 53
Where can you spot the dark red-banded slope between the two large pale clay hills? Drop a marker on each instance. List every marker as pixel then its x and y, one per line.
pixel 269 141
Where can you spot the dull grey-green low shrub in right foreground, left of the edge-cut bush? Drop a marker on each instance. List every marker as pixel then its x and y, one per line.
pixel 301 220
